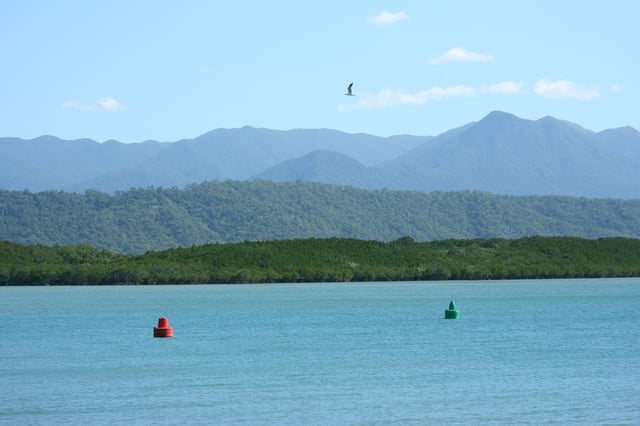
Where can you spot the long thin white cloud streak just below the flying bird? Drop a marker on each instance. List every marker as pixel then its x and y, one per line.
pixel 392 97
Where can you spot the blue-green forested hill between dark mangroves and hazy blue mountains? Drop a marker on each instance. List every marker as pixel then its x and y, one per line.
pixel 139 220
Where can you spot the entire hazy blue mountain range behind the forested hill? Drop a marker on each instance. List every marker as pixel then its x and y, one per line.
pixel 501 154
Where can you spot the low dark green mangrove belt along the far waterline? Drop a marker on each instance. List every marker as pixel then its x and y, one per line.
pixel 325 260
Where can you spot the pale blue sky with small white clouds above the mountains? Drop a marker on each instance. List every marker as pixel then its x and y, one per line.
pixel 169 70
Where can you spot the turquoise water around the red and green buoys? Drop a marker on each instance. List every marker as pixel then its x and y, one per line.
pixel 538 352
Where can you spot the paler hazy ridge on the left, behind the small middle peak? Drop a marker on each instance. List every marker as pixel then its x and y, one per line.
pixel 50 163
